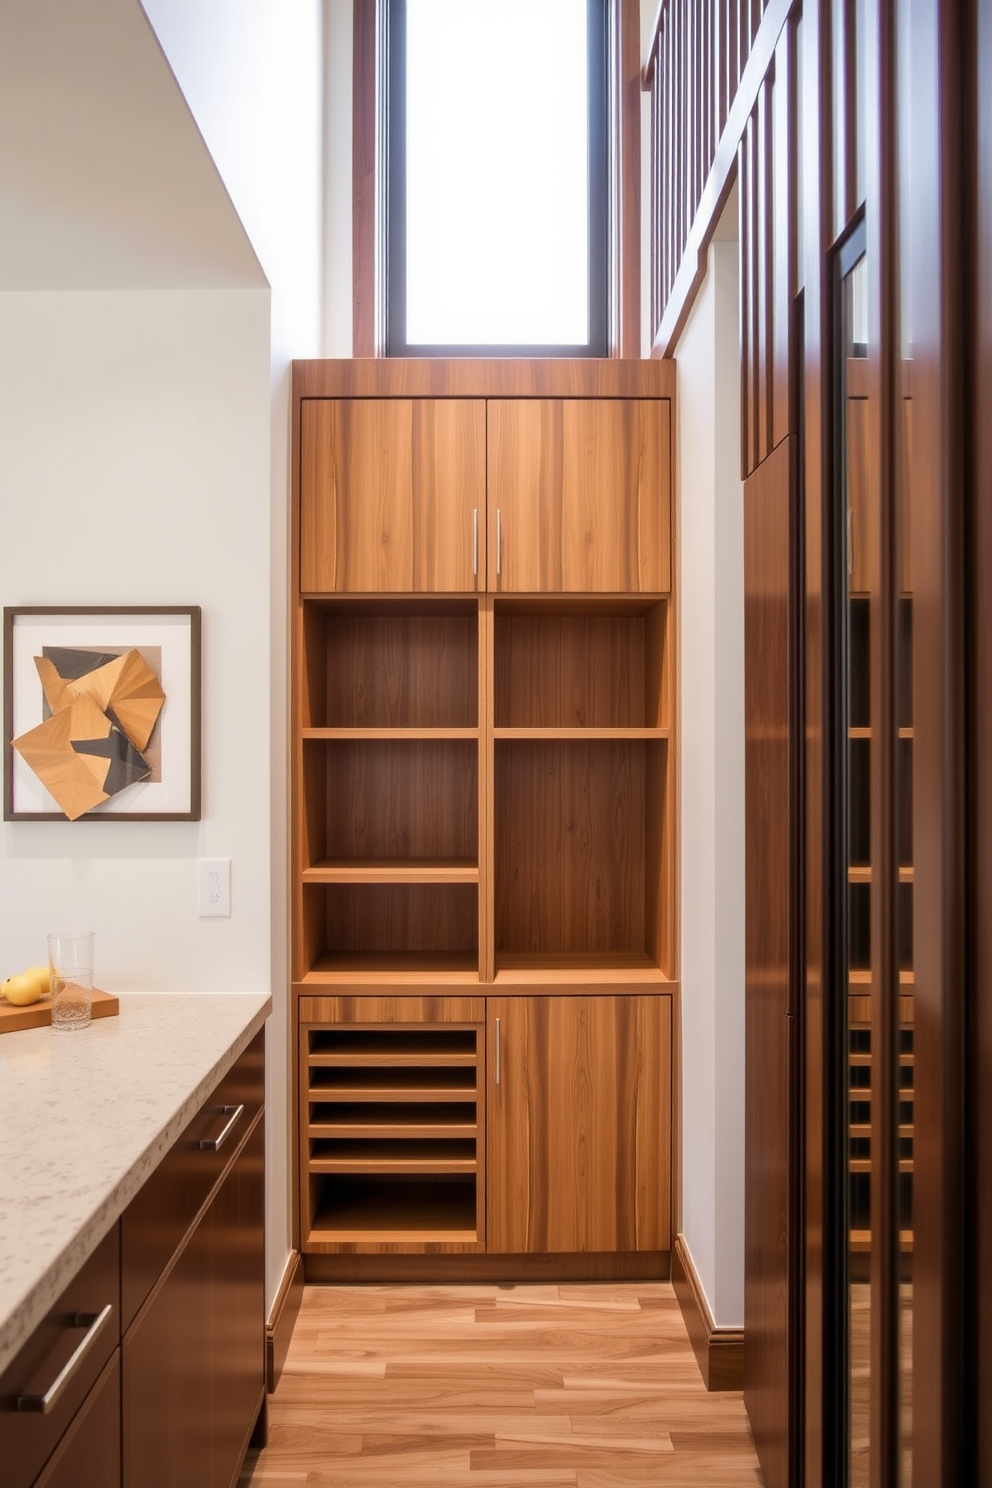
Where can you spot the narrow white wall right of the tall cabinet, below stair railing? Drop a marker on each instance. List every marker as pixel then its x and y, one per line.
pixel 712 669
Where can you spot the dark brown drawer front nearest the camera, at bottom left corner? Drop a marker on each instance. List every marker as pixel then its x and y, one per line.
pixel 28 1438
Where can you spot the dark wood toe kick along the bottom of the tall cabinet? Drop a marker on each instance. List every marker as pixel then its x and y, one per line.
pixel 640 1266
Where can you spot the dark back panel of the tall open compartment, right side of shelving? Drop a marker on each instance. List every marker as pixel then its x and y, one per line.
pixel 578 807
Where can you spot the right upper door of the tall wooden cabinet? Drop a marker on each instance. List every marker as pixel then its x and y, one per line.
pixel 579 496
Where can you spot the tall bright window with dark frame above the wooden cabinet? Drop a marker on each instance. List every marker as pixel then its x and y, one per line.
pixel 497 178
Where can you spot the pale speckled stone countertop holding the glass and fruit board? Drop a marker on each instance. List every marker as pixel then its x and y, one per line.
pixel 86 1118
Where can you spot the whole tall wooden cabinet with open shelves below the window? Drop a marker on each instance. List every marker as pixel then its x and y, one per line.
pixel 484 795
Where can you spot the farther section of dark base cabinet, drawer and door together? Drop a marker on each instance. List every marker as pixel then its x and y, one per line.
pixel 194 1356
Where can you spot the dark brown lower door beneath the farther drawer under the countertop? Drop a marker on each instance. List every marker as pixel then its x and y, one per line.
pixel 194 1362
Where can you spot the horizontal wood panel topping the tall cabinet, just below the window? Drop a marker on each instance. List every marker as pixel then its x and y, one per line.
pixel 490 377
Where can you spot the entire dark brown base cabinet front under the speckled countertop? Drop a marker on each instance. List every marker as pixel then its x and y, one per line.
pixel 154 1358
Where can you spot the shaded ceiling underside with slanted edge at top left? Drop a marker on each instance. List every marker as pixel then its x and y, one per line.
pixel 105 179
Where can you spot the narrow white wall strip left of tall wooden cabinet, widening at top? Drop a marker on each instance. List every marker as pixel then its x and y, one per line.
pixel 251 72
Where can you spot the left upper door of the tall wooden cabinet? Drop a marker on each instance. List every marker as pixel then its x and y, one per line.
pixel 392 496
